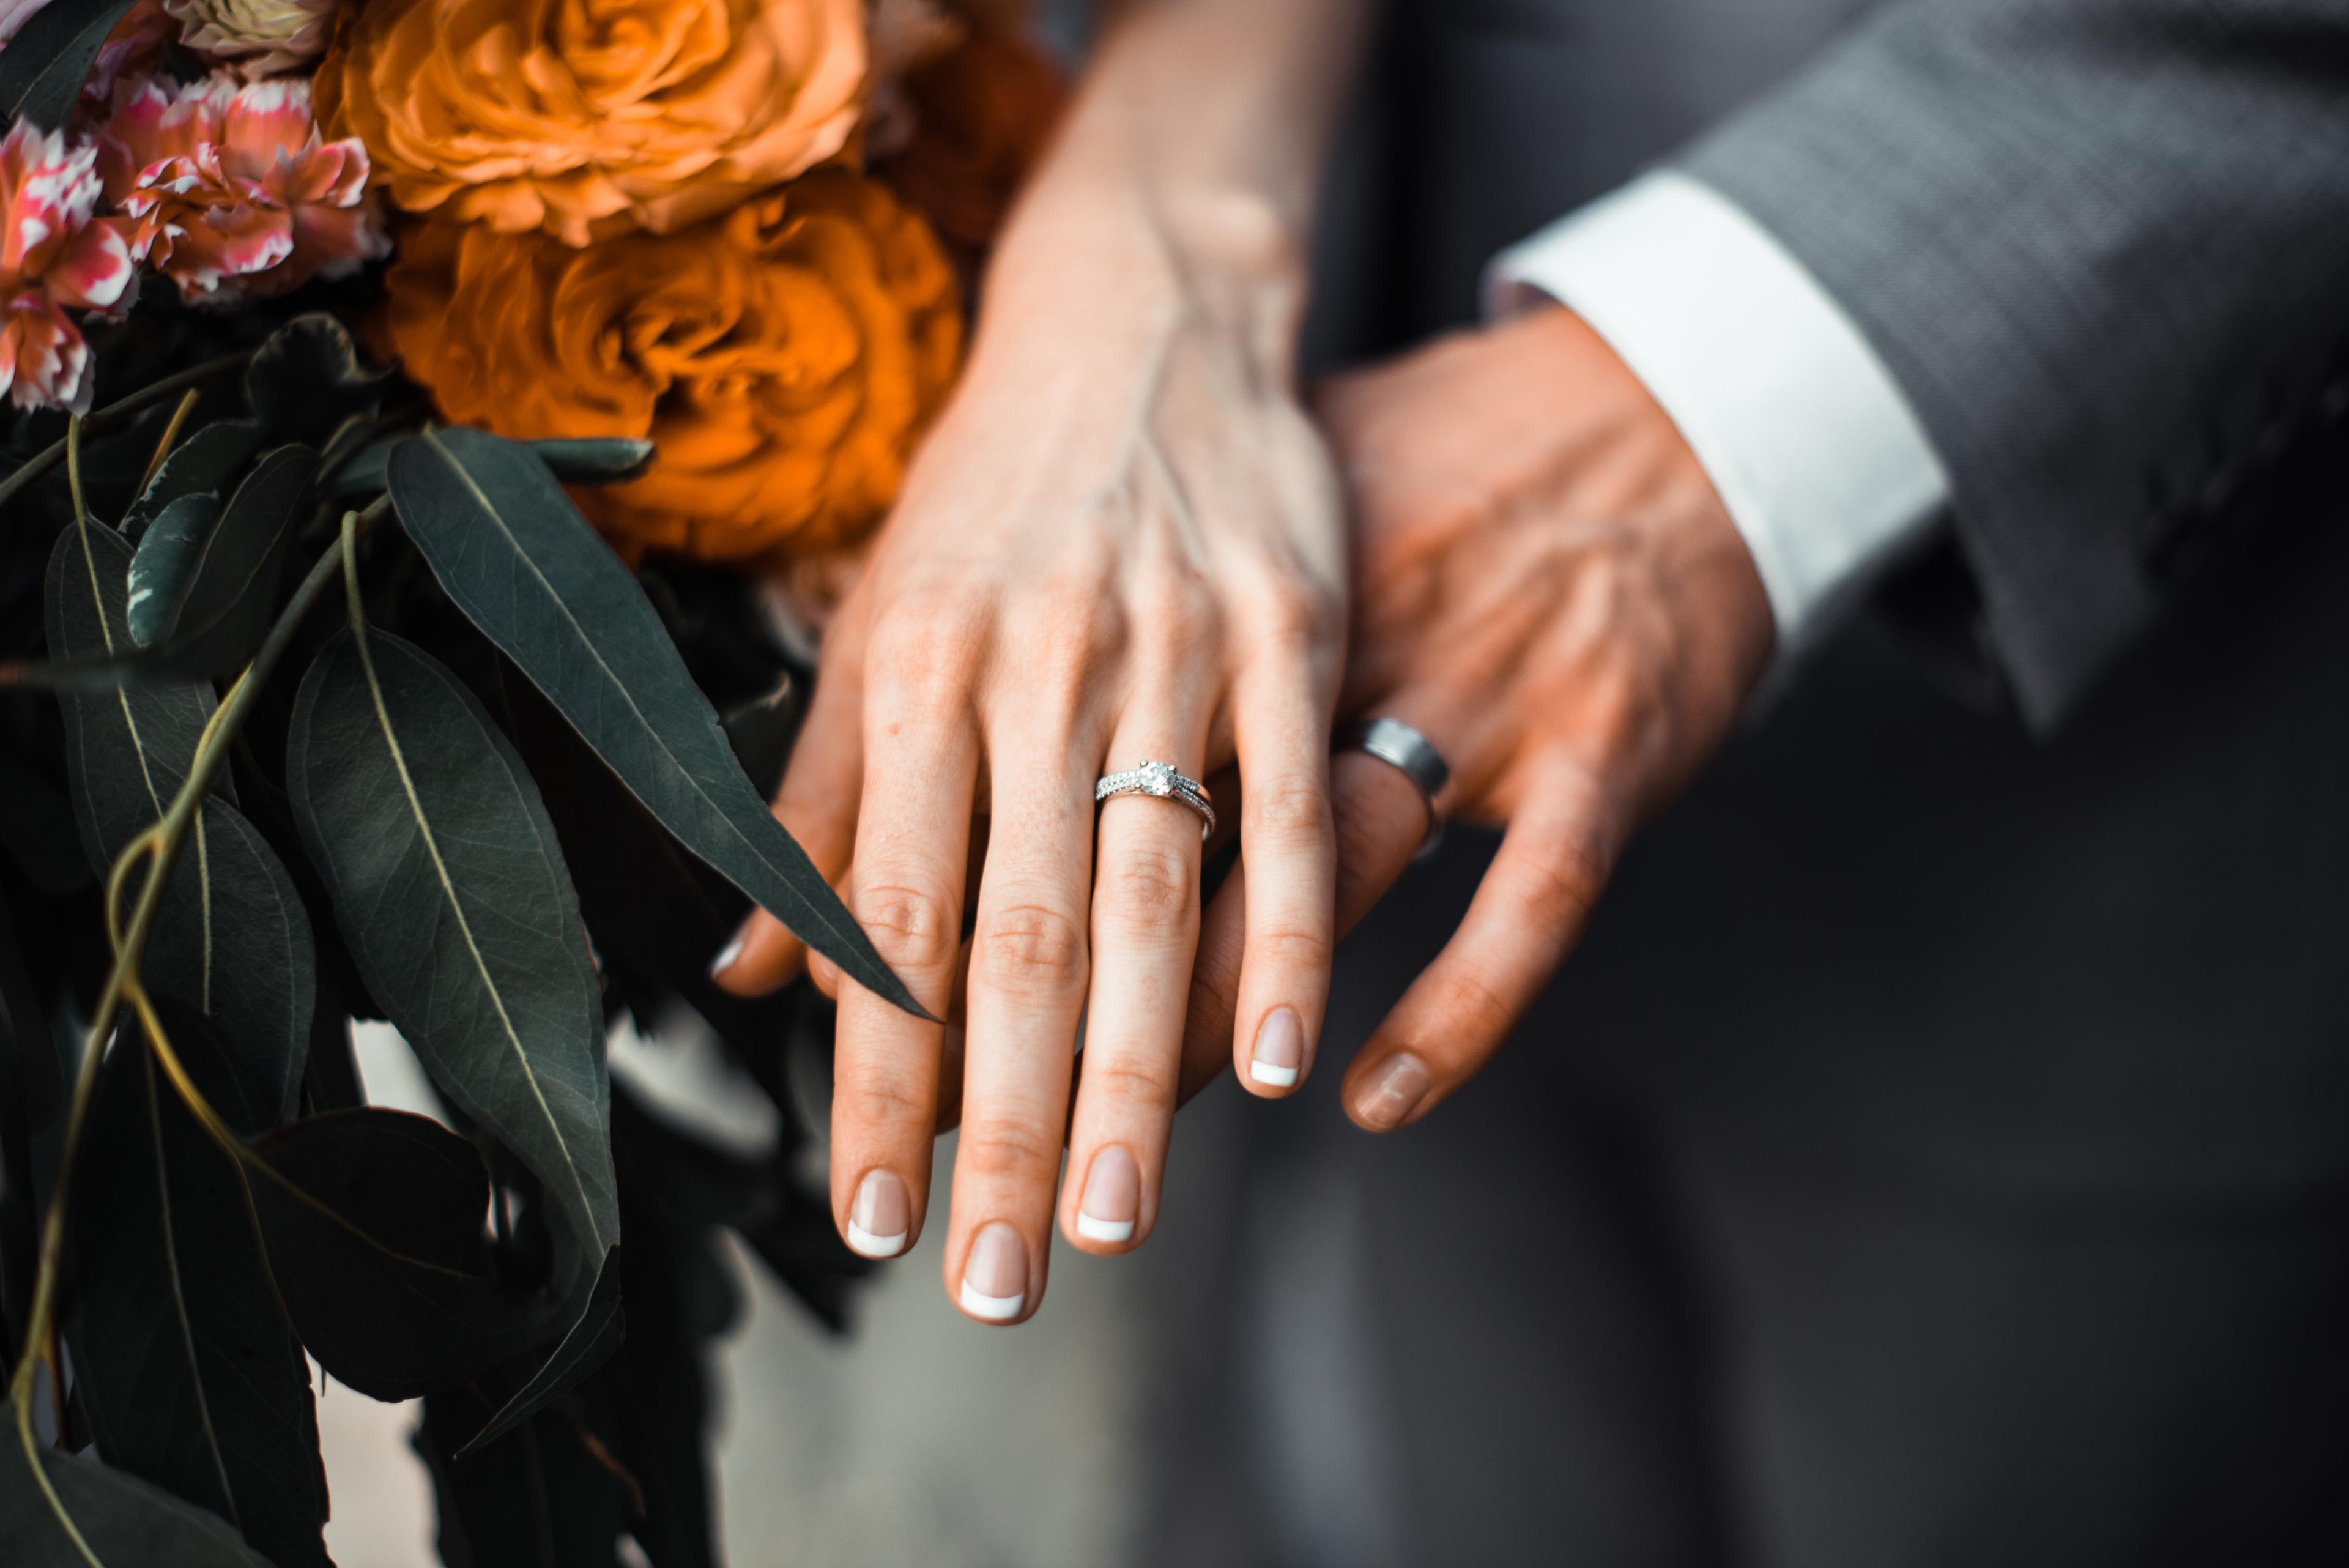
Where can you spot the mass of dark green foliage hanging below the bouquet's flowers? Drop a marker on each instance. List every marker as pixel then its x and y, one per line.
pixel 499 796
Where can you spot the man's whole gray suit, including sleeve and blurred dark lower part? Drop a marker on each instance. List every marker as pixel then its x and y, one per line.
pixel 1939 1151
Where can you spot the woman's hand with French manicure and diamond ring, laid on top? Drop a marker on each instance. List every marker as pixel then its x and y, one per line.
pixel 1119 547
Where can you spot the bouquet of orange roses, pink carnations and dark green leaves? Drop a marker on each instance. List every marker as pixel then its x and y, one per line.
pixel 412 406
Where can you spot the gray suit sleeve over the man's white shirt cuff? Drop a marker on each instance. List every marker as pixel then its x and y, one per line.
pixel 2104 248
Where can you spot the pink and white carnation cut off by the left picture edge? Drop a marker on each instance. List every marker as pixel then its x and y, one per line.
pixel 55 257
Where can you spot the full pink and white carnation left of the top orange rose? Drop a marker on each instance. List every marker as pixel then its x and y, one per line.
pixel 234 192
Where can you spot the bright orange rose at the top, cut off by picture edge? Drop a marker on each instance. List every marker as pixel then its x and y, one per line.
pixel 593 116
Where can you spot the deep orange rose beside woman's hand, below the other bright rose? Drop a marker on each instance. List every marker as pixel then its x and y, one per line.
pixel 781 359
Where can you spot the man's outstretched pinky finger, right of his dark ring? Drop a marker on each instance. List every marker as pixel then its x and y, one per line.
pixel 1526 918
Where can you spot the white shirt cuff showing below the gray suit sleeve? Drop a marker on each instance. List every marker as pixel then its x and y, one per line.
pixel 1805 434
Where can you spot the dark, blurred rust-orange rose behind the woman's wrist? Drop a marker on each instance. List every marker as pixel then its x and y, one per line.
pixel 981 116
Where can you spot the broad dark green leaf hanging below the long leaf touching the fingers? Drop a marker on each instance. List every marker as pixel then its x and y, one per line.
pixel 457 906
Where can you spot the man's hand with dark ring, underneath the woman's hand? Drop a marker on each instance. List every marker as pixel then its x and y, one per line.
pixel 1547 587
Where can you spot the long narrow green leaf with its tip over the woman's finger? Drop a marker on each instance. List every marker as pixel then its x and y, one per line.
pixel 532 575
